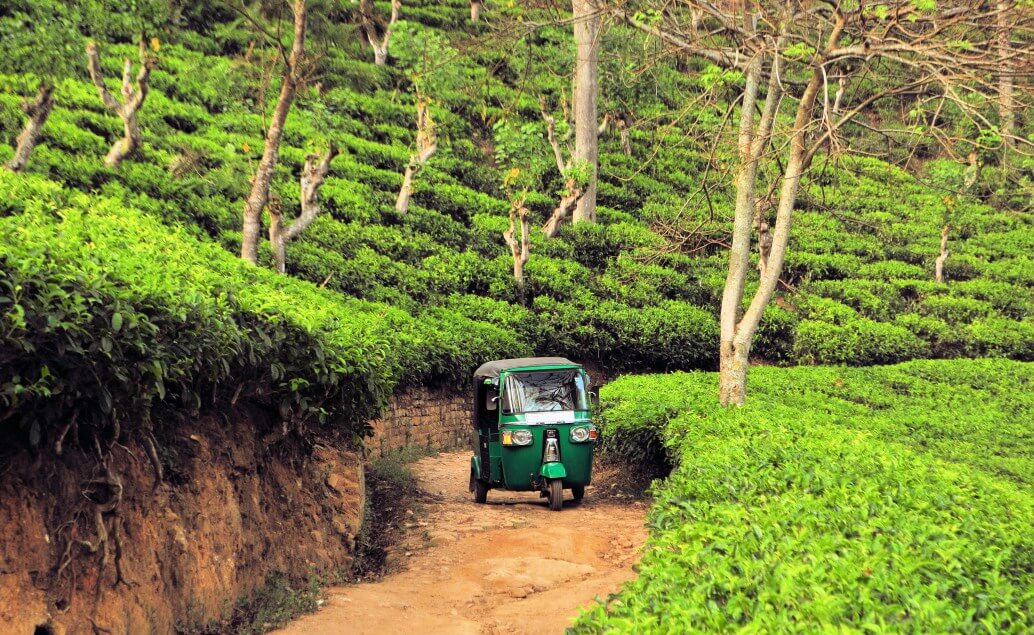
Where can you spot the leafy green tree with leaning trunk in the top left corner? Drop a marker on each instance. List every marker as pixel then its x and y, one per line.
pixel 40 40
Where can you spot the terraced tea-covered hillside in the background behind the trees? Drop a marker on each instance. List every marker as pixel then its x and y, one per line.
pixel 859 286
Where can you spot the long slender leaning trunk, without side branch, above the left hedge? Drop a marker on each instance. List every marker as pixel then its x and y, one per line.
pixel 259 197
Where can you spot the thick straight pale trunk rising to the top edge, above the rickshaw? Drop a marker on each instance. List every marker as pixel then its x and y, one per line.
pixel 587 27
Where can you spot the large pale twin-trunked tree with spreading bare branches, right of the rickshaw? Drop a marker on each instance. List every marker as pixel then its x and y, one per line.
pixel 949 50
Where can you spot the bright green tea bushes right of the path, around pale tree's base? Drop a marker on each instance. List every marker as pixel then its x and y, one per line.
pixel 894 499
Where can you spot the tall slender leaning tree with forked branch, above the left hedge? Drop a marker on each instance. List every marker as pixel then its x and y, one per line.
pixel 294 63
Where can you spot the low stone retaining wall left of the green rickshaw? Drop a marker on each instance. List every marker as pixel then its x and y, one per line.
pixel 435 419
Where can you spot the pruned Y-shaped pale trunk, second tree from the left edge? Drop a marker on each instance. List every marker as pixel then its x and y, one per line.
pixel 133 100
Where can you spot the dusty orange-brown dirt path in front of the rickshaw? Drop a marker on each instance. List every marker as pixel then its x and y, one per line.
pixel 511 566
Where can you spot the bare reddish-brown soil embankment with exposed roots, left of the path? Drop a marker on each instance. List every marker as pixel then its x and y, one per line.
pixel 233 510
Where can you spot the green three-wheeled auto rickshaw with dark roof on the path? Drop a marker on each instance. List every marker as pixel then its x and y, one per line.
pixel 534 429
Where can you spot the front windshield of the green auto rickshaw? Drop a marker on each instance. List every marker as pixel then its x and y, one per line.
pixel 544 391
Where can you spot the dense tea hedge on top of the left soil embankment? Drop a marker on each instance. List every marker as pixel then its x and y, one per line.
pixel 106 313
